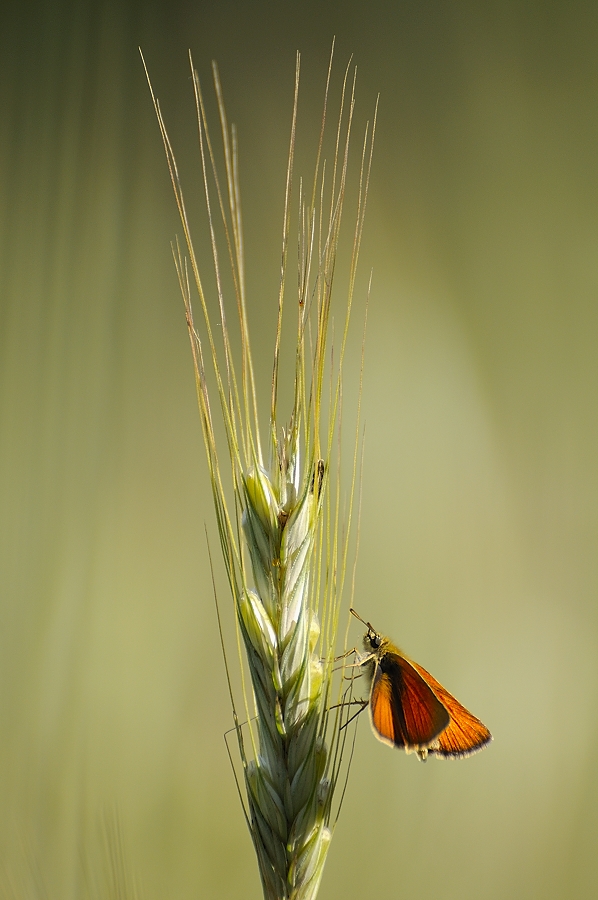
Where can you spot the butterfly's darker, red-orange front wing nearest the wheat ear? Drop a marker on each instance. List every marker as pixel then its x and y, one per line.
pixel 405 711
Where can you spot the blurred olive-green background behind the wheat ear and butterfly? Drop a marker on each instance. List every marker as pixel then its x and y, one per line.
pixel 478 550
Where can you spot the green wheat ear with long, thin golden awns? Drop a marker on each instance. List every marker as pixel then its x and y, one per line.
pixel 281 540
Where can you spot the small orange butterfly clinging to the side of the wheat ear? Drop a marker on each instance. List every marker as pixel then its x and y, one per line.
pixel 410 710
